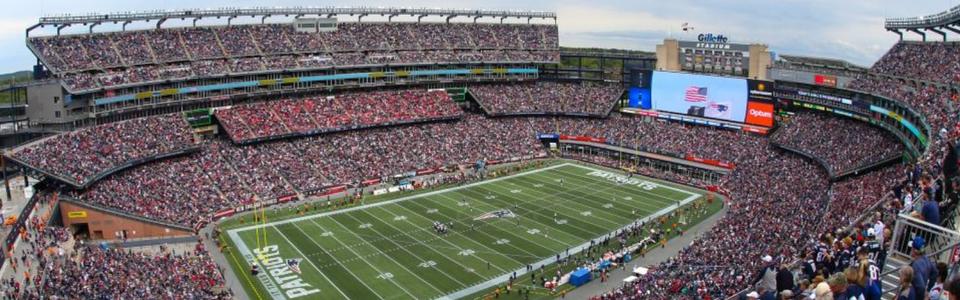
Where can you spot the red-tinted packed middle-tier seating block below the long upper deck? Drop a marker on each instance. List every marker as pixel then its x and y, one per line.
pixel 306 116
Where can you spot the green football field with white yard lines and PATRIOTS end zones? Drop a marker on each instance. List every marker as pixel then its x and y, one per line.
pixel 389 249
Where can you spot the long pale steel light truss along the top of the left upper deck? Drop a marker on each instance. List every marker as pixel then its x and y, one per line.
pixel 93 19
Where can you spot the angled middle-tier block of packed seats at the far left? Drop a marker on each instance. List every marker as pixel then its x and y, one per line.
pixel 84 155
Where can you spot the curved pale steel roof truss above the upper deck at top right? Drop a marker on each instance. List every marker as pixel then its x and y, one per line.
pixel 937 23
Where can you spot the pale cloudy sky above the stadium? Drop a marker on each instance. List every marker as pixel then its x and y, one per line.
pixel 851 29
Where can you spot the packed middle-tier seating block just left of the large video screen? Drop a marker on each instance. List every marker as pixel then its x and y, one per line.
pixel 544 97
